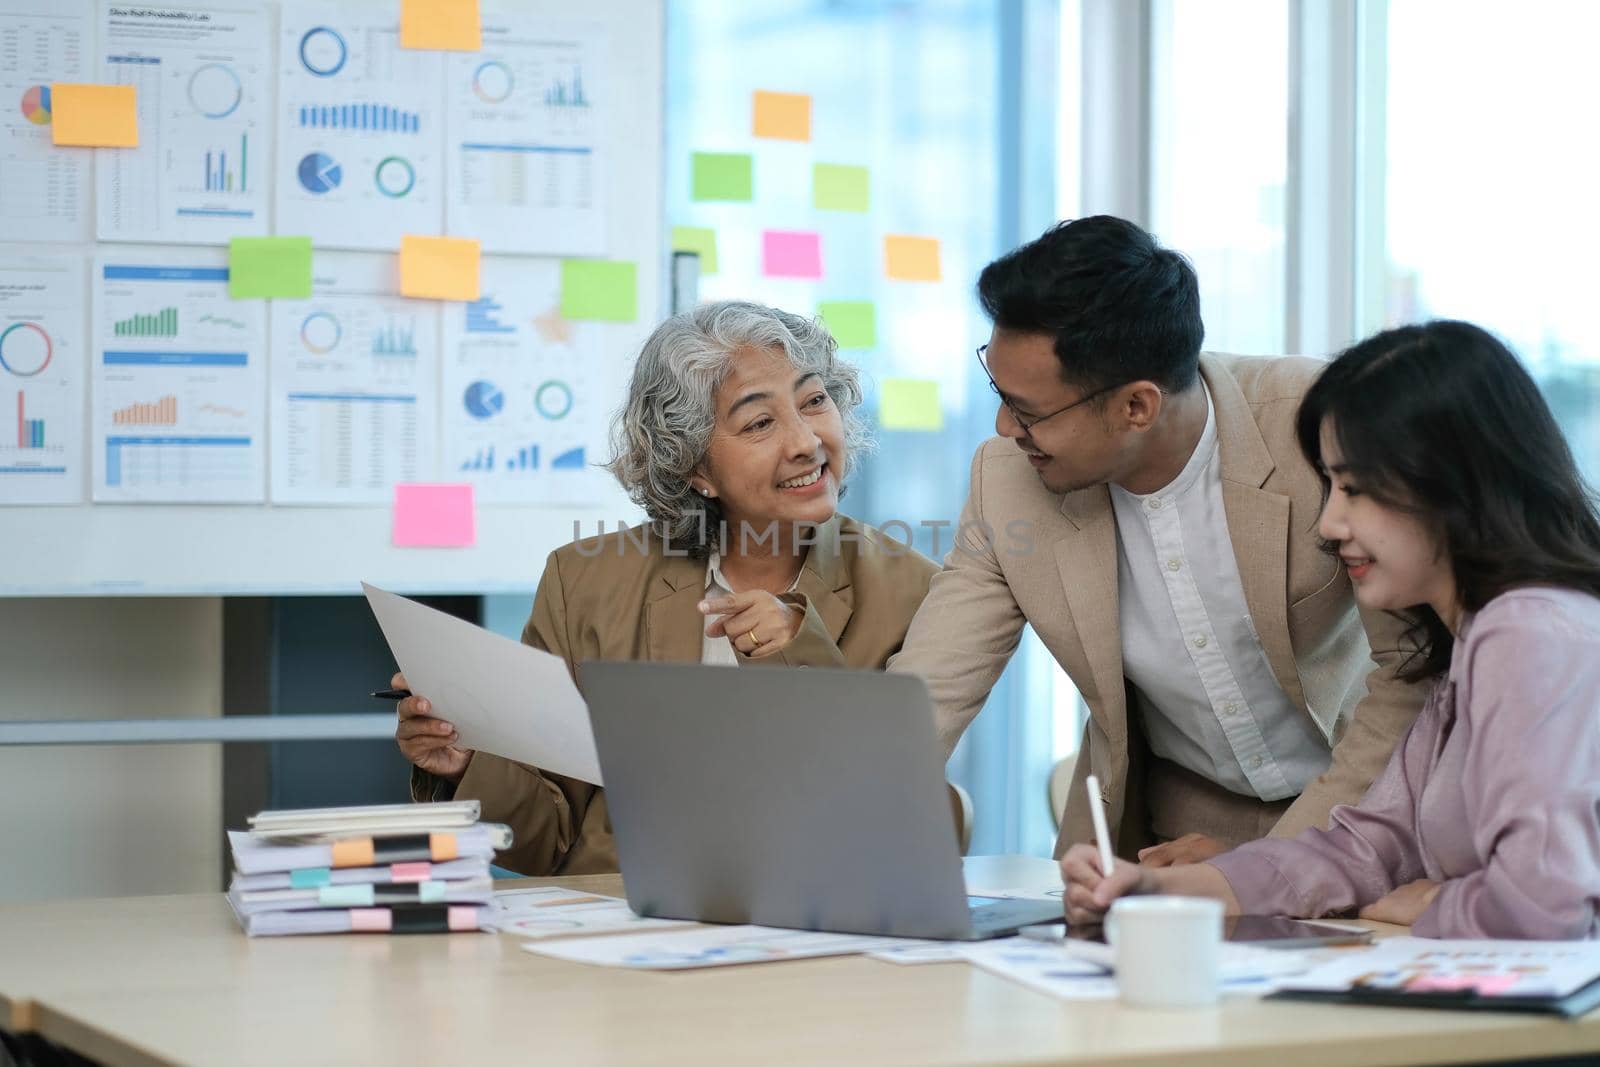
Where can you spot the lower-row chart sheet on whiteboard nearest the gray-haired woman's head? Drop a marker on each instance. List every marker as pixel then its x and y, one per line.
pixel 527 394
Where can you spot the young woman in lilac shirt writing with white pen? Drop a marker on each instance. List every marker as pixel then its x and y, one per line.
pixel 1455 502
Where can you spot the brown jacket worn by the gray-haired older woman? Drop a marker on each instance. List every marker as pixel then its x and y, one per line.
pixel 609 599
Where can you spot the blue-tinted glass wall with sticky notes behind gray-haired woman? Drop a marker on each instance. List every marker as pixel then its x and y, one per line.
pixel 914 94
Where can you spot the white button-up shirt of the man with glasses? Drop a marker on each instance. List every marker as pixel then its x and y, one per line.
pixel 1202 687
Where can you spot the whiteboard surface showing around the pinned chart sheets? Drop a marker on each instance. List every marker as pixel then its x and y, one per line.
pixel 263 549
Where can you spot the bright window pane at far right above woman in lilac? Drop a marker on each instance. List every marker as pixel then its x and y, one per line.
pixel 1490 186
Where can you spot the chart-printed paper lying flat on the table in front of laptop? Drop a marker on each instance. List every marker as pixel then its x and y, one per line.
pixel 708 946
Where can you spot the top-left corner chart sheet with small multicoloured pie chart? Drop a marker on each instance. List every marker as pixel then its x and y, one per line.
pixel 46 190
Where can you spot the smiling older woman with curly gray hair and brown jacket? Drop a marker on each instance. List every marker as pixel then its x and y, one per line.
pixel 737 438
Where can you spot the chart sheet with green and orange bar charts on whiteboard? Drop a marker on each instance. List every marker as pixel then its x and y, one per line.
pixel 178 380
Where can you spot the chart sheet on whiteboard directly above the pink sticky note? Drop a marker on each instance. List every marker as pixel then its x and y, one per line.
pixel 354 386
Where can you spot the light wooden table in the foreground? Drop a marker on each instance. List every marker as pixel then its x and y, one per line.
pixel 174 981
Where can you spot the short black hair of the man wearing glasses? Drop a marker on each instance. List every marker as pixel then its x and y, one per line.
pixel 1121 308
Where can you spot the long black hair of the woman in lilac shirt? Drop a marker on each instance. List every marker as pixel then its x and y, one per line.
pixel 1444 423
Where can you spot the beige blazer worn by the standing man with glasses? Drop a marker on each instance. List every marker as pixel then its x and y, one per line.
pixel 1052 562
